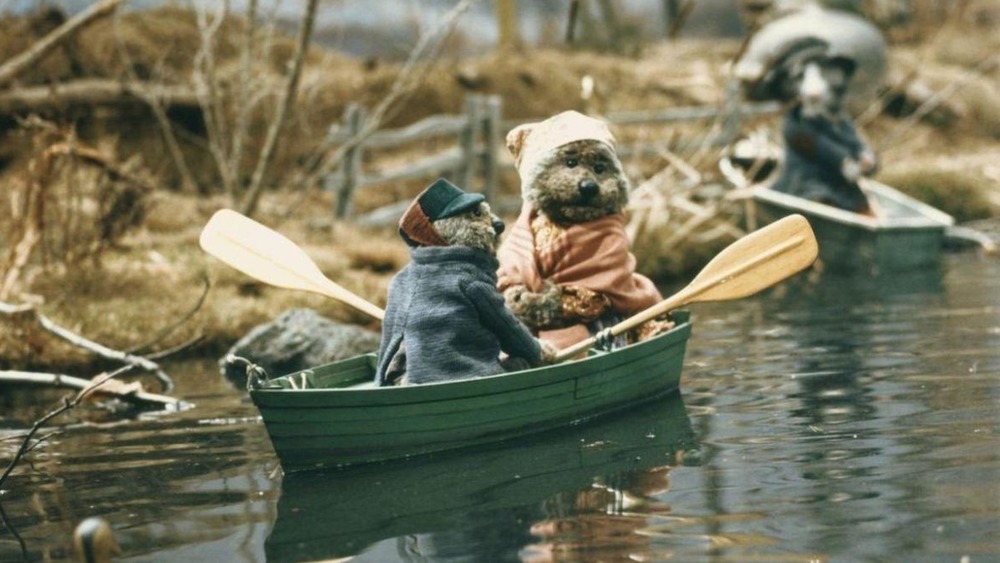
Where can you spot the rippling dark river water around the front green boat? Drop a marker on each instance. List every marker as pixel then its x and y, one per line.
pixel 832 418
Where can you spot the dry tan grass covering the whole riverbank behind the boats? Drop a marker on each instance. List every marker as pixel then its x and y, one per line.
pixel 154 274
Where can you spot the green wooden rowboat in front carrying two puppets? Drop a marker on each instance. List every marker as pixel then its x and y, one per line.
pixel 333 416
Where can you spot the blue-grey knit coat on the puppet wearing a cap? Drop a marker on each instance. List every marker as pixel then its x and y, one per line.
pixel 446 307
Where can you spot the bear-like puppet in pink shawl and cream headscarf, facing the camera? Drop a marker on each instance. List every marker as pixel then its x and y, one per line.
pixel 566 268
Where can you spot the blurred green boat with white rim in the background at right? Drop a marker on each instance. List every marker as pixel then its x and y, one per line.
pixel 905 234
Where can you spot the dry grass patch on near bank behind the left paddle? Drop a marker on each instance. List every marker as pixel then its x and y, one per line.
pixel 156 276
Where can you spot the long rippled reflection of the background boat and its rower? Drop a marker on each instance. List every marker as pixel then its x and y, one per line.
pixel 853 394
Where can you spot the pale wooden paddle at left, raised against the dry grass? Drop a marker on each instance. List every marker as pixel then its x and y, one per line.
pixel 262 253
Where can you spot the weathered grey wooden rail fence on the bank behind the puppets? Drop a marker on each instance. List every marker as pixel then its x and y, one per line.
pixel 474 159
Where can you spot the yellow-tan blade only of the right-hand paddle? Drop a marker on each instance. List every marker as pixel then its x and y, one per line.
pixel 758 261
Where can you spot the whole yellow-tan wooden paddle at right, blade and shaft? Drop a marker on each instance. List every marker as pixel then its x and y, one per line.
pixel 754 262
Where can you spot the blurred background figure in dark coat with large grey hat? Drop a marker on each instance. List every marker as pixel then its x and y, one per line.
pixel 824 63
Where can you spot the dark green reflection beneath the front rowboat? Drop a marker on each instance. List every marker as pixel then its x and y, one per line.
pixel 516 500
